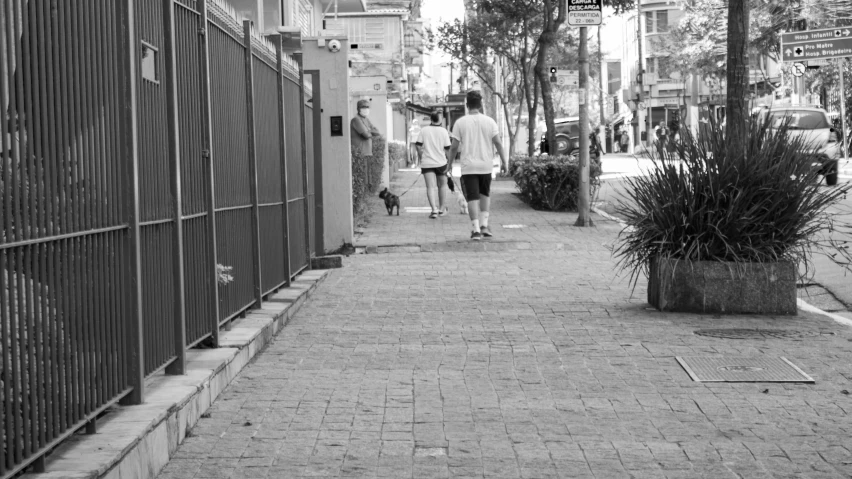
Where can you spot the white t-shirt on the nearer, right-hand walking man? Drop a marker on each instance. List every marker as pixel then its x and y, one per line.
pixel 475 134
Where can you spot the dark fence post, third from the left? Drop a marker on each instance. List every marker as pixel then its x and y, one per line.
pixel 207 128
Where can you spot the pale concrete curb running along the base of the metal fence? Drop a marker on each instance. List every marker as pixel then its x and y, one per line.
pixel 138 441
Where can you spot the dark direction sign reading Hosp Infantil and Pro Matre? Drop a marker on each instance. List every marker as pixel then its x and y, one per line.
pixel 816 44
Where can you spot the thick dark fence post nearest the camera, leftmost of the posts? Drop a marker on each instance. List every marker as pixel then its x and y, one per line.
pixel 133 270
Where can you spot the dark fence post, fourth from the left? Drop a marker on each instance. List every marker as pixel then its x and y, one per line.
pixel 252 156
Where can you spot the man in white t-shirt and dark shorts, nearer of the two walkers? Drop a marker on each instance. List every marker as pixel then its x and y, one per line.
pixel 476 136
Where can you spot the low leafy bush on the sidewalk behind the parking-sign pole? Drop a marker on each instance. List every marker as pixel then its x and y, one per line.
pixel 551 183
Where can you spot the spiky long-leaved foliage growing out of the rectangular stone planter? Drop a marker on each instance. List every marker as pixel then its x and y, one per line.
pixel 700 204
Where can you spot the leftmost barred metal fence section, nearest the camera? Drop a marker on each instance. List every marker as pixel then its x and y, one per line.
pixel 65 271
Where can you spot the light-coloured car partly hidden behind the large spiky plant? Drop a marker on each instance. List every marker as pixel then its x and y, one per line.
pixel 812 125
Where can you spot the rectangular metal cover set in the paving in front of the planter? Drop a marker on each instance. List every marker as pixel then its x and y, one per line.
pixel 743 370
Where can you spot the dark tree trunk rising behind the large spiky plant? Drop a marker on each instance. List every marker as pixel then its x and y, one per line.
pixel 736 105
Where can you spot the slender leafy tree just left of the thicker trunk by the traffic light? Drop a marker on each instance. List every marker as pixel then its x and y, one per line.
pixel 499 28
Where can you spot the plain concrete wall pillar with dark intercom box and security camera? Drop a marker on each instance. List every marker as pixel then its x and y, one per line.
pixel 335 151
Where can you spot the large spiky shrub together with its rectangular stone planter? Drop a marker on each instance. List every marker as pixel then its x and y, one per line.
pixel 758 215
